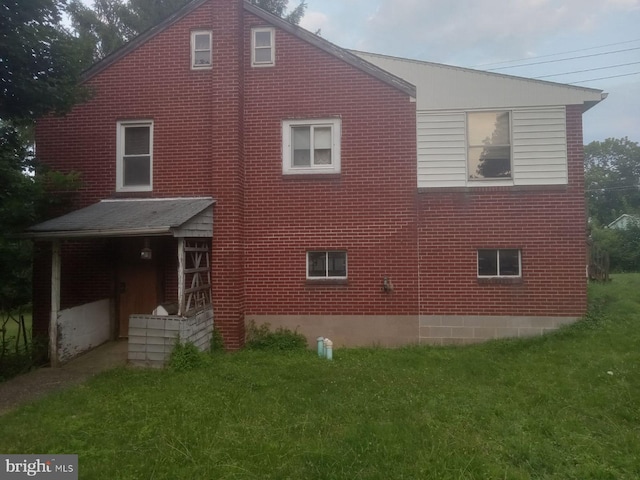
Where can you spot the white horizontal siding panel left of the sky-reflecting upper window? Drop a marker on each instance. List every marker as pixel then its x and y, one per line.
pixel 442 150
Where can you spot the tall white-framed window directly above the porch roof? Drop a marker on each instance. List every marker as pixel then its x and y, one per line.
pixel 134 163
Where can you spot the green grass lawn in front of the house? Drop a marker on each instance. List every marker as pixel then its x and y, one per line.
pixel 563 406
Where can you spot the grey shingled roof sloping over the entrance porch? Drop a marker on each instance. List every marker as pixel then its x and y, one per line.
pixel 178 217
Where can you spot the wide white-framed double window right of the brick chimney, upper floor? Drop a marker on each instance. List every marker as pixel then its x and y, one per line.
pixel 311 146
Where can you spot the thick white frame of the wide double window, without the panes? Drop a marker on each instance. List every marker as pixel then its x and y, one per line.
pixel 287 156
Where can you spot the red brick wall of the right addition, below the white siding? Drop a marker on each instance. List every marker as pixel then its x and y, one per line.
pixel 547 224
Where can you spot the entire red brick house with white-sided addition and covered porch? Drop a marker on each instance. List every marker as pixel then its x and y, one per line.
pixel 238 168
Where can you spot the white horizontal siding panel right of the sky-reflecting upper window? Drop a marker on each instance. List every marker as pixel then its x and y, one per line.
pixel 540 147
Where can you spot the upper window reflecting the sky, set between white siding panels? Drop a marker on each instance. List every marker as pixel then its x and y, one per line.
pixel 489 145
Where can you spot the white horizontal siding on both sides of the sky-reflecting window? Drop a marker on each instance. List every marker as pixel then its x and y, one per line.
pixel 539 148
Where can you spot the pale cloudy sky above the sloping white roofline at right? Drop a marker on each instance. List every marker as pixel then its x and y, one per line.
pixel 527 38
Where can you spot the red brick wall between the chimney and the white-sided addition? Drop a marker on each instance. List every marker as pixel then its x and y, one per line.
pixel 368 209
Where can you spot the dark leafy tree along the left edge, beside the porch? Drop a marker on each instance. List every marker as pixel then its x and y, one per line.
pixel 40 66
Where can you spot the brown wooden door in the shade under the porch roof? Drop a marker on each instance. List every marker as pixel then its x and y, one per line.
pixel 138 291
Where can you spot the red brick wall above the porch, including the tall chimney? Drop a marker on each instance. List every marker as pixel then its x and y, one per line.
pixel 197 137
